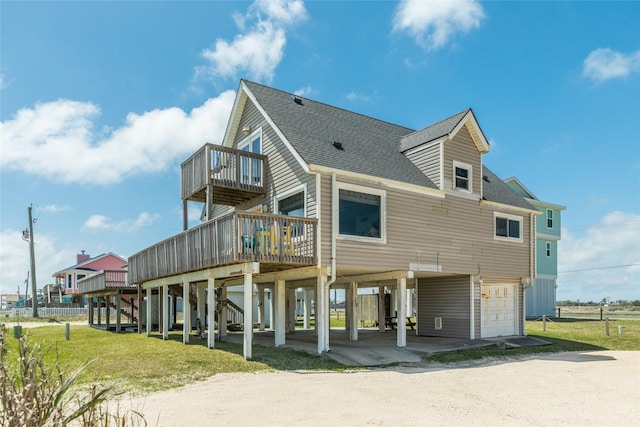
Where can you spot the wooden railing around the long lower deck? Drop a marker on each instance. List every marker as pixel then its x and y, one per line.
pixel 238 237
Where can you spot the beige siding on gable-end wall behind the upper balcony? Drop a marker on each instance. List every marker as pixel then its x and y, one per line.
pixel 284 172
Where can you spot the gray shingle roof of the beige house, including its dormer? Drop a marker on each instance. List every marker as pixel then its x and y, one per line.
pixel 370 146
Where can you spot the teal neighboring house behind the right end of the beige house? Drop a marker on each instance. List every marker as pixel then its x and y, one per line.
pixel 541 297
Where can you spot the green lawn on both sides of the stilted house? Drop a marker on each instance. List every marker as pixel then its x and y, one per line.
pixel 138 363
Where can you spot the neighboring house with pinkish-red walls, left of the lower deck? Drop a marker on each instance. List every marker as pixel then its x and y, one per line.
pixel 87 266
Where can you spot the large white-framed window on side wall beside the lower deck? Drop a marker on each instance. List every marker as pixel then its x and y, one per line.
pixel 361 213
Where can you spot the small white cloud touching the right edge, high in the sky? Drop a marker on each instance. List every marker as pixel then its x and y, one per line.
pixel 604 64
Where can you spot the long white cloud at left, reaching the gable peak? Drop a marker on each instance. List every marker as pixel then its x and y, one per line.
pixel 55 140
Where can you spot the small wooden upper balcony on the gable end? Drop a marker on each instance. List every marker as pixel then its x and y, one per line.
pixel 234 176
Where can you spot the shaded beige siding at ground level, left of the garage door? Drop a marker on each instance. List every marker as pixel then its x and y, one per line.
pixel 448 298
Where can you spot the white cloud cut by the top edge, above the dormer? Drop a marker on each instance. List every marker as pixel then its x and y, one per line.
pixel 434 23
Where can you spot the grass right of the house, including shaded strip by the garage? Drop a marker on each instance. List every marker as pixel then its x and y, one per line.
pixel 564 335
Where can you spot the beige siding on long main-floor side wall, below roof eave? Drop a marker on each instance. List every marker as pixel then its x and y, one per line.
pixel 454 233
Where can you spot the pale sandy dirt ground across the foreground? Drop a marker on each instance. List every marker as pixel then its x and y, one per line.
pixel 563 389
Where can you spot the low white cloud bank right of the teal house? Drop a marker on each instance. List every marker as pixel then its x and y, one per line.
pixel 591 267
